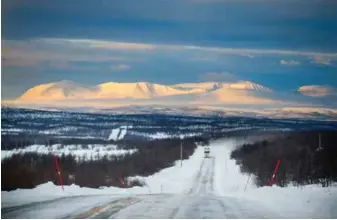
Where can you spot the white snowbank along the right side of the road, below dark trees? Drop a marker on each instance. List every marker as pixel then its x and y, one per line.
pixel 311 201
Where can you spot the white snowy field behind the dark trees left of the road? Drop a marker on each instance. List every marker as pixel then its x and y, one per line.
pixel 92 151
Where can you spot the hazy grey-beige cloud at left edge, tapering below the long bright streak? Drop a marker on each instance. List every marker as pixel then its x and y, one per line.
pixel 33 53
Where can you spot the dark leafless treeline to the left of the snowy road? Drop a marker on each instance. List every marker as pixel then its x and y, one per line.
pixel 31 169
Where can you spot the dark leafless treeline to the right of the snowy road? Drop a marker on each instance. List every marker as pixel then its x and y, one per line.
pixel 303 159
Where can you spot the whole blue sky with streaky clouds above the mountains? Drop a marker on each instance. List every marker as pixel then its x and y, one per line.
pixel 281 44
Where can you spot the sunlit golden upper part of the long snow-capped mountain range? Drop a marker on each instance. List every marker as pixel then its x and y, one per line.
pixel 64 90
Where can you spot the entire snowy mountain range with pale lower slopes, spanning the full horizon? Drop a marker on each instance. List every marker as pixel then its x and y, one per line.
pixel 243 95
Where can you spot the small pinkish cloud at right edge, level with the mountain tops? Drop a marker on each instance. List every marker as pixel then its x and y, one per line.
pixel 317 90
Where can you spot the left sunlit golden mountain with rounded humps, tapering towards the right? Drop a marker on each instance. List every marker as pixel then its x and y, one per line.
pixel 110 90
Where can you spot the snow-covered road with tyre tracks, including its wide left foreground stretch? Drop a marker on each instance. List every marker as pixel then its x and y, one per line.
pixel 199 201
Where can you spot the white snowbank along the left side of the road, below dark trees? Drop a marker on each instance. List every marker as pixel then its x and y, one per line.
pixel 174 179
